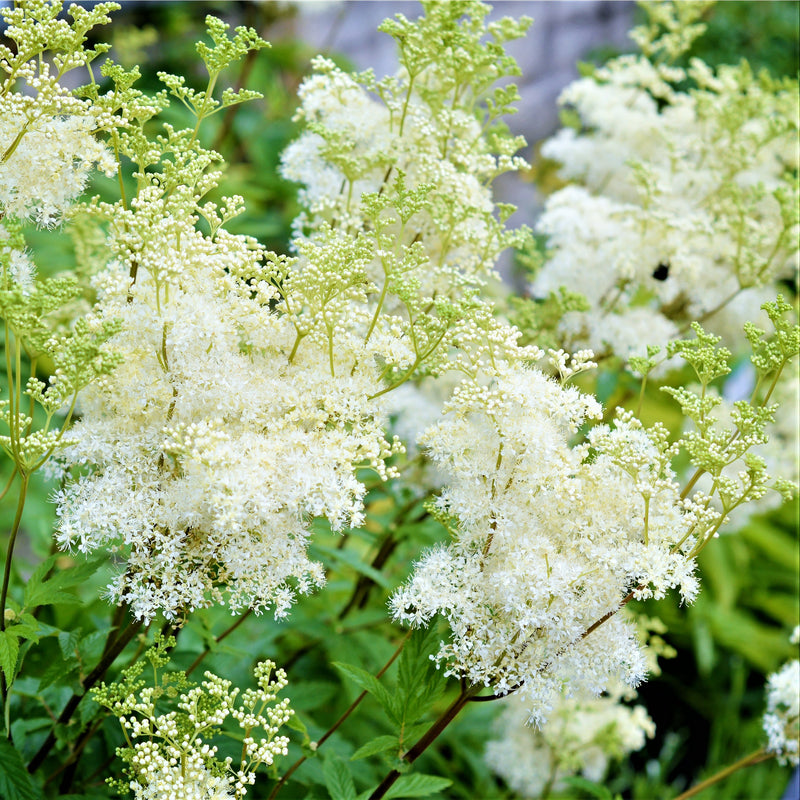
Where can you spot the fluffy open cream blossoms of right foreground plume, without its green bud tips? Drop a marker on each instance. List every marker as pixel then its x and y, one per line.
pixel 547 538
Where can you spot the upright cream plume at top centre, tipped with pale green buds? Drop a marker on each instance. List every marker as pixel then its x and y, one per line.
pixel 404 168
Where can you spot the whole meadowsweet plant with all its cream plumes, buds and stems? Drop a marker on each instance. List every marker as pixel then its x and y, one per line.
pixel 232 398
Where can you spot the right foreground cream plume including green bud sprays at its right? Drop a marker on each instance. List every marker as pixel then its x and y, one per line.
pixel 555 527
